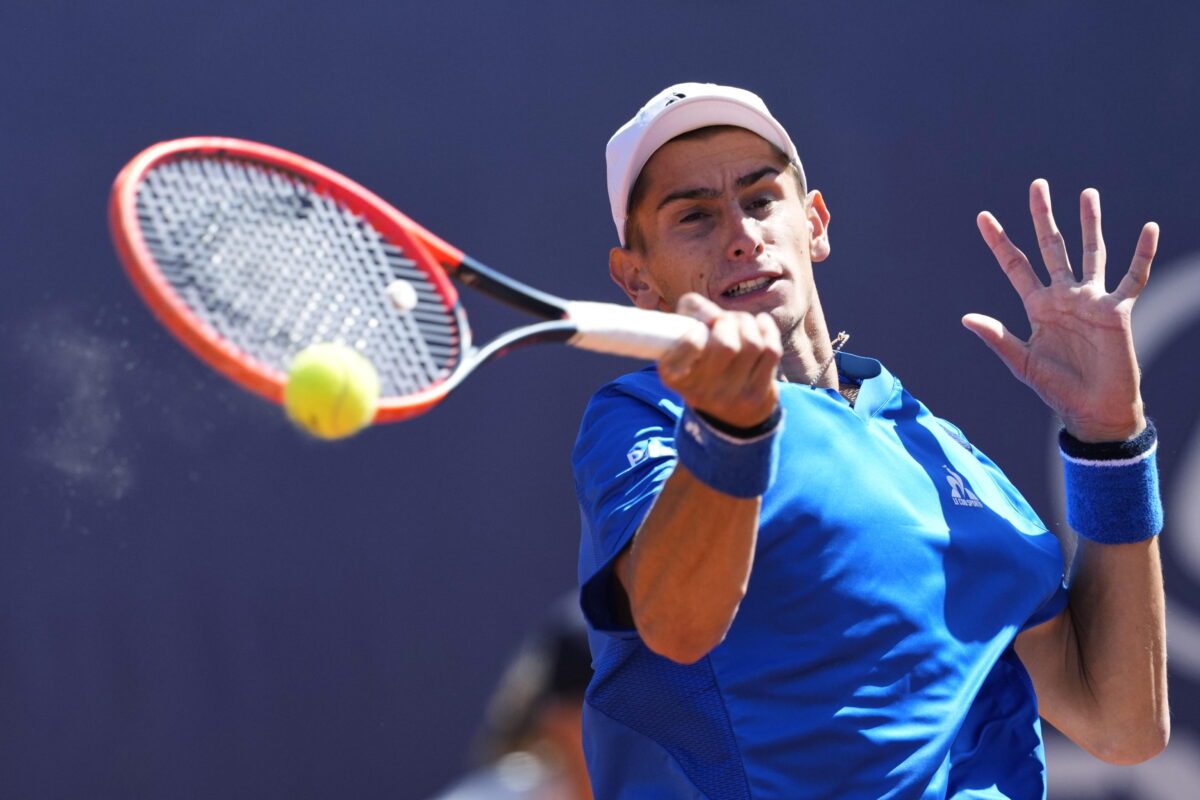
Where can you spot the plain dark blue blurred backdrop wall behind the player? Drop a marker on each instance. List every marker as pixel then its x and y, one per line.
pixel 196 601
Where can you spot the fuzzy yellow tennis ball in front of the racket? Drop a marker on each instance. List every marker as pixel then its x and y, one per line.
pixel 333 392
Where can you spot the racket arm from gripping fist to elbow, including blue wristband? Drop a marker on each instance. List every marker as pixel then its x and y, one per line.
pixel 688 567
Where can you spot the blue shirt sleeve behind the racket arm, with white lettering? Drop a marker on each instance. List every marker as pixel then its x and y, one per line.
pixel 625 454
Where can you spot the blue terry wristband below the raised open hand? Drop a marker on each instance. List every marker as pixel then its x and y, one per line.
pixel 1113 488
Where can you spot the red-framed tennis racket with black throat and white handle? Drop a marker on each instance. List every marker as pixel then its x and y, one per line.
pixel 249 254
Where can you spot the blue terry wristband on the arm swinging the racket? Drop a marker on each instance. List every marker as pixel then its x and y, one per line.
pixel 739 466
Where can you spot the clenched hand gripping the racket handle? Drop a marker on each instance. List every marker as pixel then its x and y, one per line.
pixel 731 375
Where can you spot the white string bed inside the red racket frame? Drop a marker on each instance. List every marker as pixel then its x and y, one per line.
pixel 273 266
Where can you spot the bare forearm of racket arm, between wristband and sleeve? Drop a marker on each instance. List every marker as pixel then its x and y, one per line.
pixel 688 567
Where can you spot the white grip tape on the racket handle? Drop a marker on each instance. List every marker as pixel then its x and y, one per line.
pixel 625 330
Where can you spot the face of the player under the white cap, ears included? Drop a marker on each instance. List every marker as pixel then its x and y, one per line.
pixel 722 216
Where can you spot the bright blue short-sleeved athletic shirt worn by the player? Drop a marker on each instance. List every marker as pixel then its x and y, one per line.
pixel 872 657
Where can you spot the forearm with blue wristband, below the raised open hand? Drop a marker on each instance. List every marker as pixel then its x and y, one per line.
pixel 1102 678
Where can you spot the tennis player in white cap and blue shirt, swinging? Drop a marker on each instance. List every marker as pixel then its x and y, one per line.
pixel 800 582
